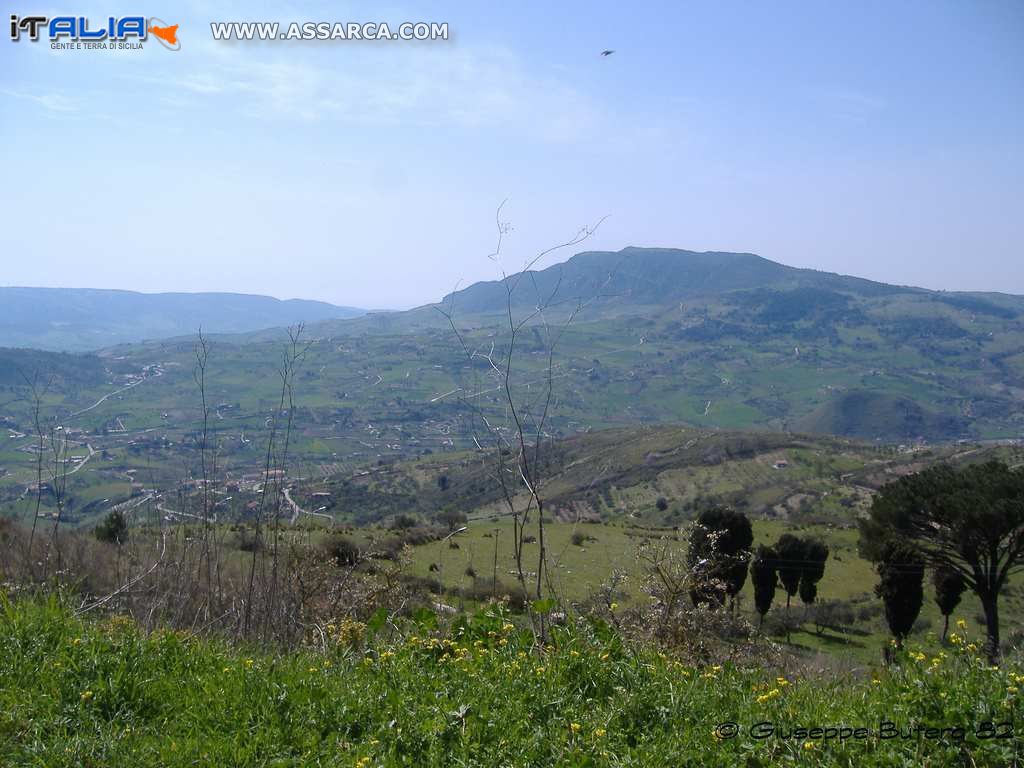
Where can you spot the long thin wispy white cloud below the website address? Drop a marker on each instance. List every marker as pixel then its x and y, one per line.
pixel 485 88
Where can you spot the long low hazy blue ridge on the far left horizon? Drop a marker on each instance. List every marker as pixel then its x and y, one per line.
pixel 76 320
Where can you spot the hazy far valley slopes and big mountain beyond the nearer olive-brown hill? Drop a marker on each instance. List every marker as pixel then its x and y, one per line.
pixel 892 367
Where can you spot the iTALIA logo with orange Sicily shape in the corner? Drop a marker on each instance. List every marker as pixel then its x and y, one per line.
pixel 120 32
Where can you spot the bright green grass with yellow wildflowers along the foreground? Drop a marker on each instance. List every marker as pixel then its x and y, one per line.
pixel 84 693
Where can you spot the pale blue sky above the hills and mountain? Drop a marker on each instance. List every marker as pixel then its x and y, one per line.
pixel 873 139
